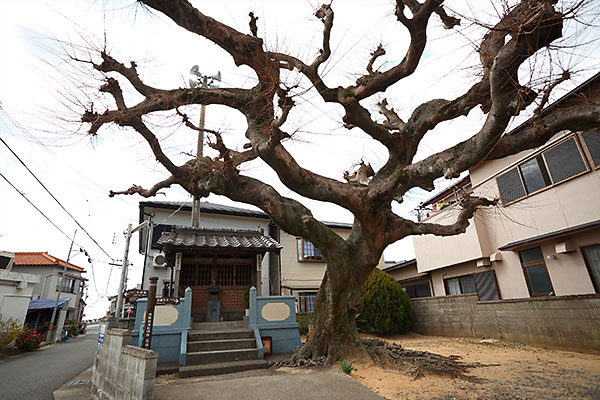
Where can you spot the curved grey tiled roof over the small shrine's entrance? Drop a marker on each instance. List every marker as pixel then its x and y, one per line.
pixel 231 239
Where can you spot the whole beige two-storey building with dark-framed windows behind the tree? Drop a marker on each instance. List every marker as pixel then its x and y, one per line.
pixel 542 239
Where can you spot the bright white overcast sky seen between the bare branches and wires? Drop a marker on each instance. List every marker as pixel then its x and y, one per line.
pixel 41 94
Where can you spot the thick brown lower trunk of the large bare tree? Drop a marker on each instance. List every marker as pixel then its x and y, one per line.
pixel 337 304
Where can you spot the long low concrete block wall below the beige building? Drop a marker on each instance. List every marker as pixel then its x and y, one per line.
pixel 565 322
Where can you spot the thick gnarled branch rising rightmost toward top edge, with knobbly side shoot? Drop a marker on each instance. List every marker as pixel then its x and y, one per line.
pixel 508 98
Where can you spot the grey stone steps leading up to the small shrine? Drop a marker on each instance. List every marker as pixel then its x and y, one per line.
pixel 216 348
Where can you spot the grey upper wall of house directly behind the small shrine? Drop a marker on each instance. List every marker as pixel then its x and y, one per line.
pixel 207 220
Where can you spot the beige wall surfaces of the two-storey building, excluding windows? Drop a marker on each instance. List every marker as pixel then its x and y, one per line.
pixel 564 205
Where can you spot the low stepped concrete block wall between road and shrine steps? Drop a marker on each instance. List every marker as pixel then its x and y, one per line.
pixel 123 371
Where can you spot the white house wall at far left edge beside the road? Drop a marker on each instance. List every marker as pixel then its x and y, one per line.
pixel 14 299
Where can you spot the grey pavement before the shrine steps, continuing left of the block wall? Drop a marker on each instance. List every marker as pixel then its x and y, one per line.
pixel 270 384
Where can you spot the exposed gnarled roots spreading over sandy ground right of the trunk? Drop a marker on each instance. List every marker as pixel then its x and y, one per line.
pixel 392 355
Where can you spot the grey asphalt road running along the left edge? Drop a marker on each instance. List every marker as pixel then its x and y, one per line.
pixel 37 374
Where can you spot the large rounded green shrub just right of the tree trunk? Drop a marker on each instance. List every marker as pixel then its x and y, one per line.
pixel 386 307
